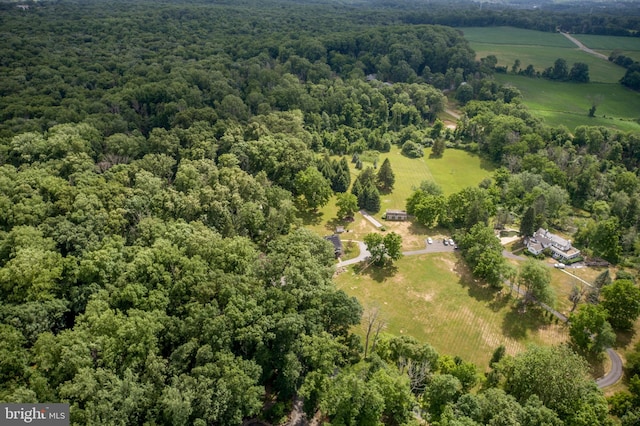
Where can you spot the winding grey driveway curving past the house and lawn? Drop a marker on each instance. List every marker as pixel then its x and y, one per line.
pixel 608 379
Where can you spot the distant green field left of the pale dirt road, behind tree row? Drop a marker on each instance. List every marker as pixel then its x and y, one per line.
pixel 538 49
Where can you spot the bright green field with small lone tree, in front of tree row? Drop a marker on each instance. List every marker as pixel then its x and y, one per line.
pixel 568 103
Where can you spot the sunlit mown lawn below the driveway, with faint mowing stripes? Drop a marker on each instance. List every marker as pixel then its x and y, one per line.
pixel 433 299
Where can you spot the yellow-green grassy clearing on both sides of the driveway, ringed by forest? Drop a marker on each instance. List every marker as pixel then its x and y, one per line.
pixel 432 297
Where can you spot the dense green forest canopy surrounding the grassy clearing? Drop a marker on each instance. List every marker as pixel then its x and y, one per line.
pixel 154 159
